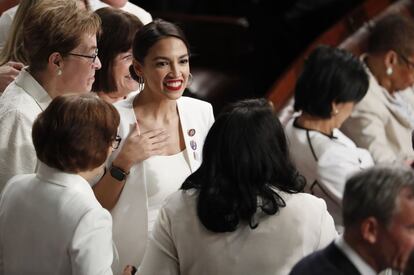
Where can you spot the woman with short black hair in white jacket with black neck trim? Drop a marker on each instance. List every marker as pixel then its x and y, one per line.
pixel 331 83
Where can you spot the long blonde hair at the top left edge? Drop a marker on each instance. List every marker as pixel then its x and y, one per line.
pixel 13 48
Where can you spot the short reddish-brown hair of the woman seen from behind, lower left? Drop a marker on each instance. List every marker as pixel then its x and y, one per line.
pixel 74 133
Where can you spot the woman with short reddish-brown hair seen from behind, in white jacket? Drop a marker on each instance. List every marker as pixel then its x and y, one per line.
pixel 50 221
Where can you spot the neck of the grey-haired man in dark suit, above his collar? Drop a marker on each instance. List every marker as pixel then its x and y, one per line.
pixel 362 248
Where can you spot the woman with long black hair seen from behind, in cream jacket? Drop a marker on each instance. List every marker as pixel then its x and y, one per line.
pixel 248 188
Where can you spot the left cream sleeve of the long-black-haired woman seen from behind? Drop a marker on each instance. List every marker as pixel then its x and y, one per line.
pixel 161 255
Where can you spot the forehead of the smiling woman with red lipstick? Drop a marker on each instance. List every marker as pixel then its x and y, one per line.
pixel 169 47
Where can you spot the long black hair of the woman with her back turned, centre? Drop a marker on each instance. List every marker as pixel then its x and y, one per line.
pixel 245 162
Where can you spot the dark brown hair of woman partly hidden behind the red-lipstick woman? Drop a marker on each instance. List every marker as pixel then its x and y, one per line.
pixel 118 31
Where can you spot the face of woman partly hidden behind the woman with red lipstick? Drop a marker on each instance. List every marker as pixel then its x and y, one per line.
pixel 123 81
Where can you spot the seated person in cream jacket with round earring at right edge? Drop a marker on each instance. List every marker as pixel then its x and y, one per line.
pixel 382 122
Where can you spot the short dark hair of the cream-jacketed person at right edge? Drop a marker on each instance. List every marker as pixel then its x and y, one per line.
pixel 393 32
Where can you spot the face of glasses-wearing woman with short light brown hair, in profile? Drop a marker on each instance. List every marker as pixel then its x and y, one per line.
pixel 77 71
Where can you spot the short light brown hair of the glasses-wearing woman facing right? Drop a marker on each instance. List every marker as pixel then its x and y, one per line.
pixel 55 26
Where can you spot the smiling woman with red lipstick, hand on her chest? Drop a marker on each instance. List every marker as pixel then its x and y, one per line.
pixel 162 132
